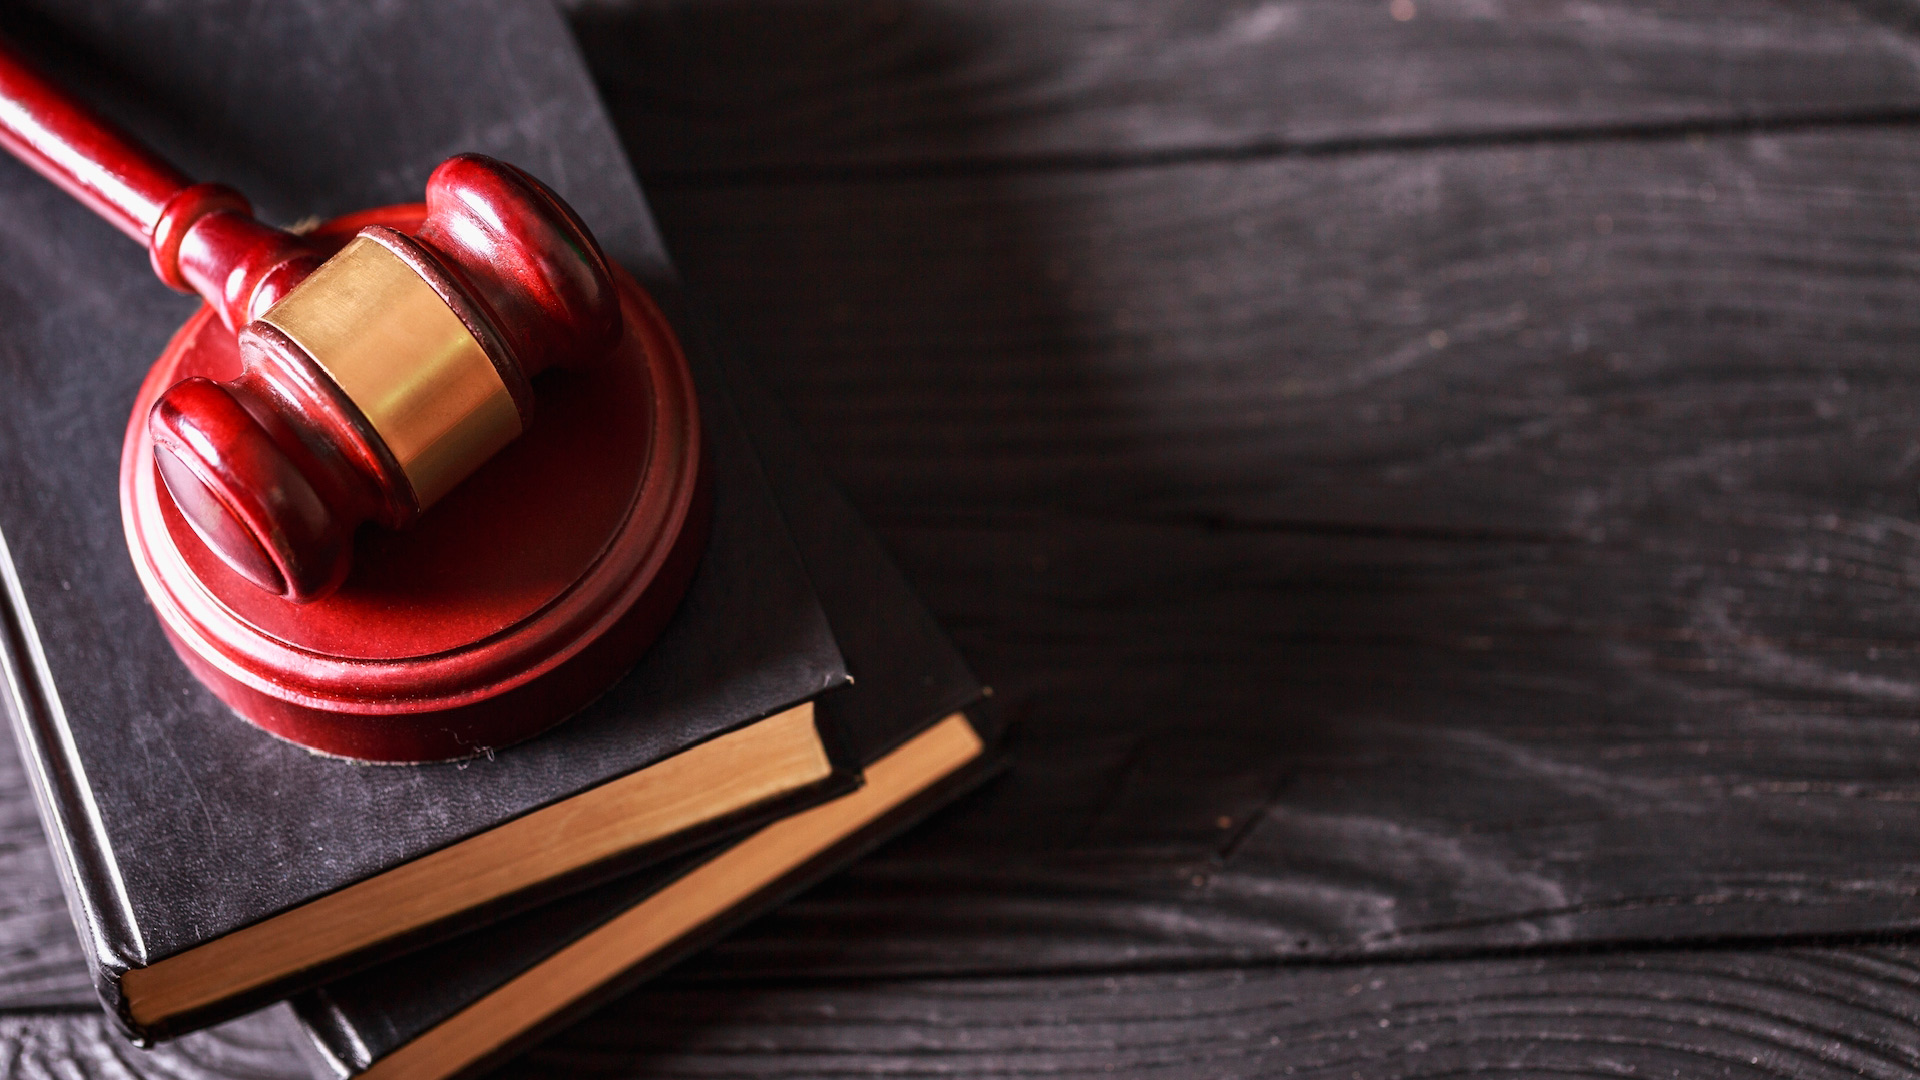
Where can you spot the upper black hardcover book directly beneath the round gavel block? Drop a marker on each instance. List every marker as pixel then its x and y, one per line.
pixel 183 831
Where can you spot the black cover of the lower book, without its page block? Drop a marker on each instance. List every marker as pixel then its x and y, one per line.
pixel 907 677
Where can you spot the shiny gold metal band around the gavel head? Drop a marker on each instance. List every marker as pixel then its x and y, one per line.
pixel 406 360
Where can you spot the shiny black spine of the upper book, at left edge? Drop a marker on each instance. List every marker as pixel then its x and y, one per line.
pixel 89 875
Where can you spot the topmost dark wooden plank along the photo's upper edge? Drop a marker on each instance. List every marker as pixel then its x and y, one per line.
pixel 711 91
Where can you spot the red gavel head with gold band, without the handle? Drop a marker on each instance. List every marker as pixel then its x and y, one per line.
pixel 385 378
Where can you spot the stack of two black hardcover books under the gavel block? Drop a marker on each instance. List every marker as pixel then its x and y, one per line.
pixel 423 921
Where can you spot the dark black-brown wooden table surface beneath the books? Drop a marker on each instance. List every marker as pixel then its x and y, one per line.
pixel 1433 481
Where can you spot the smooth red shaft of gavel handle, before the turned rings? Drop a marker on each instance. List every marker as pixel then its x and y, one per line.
pixel 84 153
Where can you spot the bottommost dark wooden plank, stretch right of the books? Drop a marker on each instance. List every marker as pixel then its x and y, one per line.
pixel 1719 1014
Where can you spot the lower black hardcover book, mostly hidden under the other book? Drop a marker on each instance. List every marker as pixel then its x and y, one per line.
pixel 913 718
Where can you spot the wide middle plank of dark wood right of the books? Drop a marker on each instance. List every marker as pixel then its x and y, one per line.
pixel 1587 624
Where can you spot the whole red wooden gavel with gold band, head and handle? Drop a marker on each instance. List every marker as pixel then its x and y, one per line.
pixel 373 380
